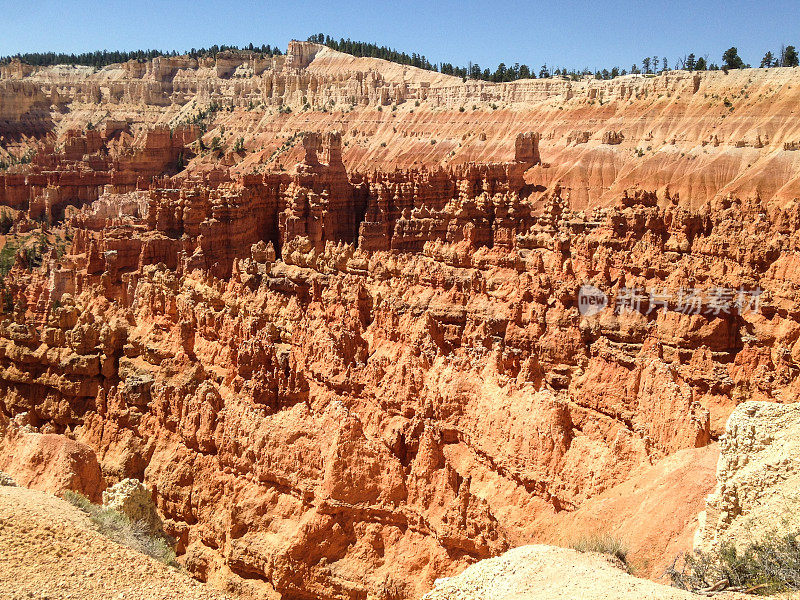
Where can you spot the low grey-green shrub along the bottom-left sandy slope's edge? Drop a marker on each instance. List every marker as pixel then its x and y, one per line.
pixel 119 528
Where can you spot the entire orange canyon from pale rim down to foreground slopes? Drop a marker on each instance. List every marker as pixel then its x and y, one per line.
pixel 328 309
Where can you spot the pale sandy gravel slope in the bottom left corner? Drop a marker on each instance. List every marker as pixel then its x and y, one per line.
pixel 48 549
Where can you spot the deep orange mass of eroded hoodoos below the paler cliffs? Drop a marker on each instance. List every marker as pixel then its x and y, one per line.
pixel 340 421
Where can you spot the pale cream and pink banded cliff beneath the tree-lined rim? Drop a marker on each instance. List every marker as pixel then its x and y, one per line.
pixel 702 134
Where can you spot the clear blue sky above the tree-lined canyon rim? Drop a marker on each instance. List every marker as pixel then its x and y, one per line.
pixel 572 34
